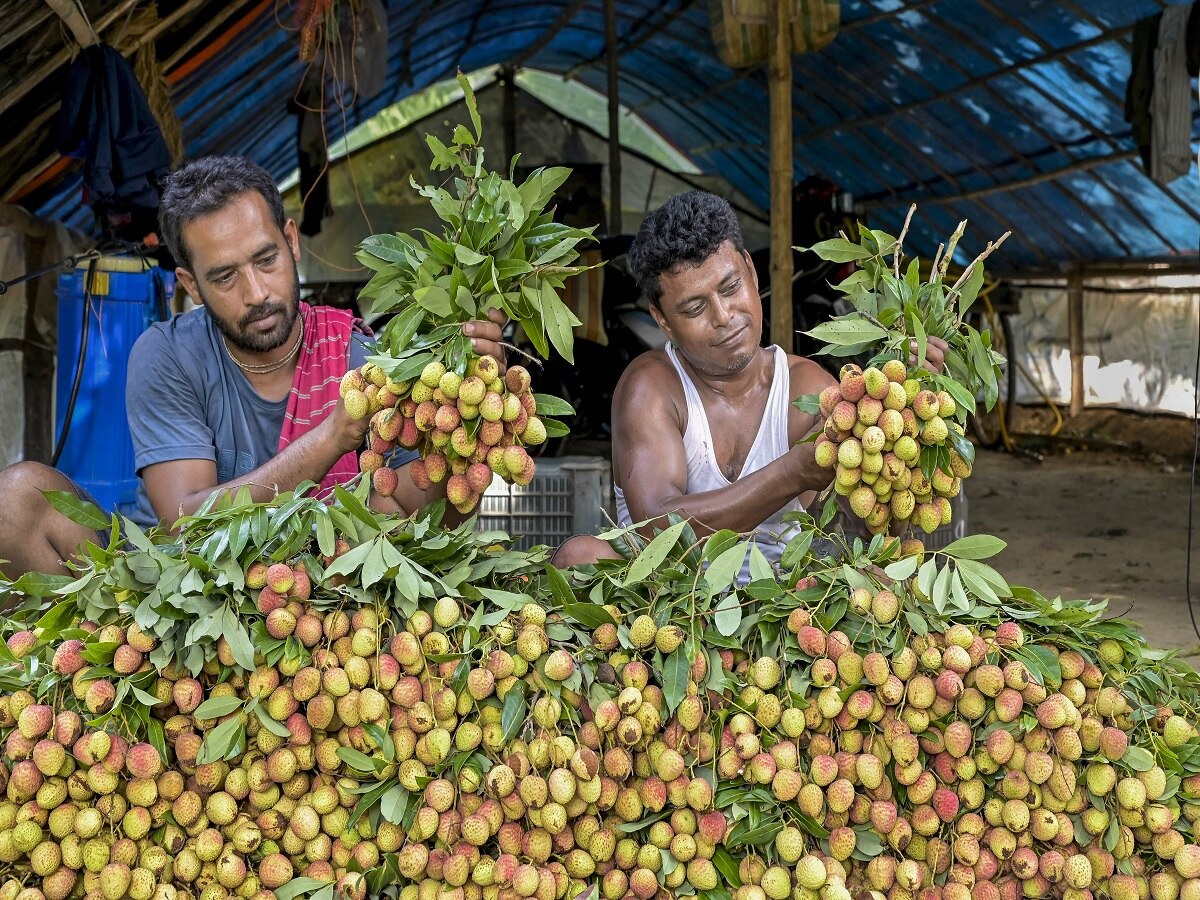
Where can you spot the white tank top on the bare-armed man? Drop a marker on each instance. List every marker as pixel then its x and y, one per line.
pixel 704 472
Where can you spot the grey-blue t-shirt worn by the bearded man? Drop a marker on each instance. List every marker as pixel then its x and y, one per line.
pixel 187 400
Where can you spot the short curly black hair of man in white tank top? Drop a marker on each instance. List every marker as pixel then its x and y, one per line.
pixel 688 229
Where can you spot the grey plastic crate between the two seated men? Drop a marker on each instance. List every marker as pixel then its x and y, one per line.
pixel 568 496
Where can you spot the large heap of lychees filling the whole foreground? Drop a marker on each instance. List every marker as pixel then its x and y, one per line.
pixel 497 748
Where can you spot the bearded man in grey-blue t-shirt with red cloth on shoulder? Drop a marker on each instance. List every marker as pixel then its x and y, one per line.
pixel 239 393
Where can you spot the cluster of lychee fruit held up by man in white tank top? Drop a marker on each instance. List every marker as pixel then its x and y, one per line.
pixel 877 423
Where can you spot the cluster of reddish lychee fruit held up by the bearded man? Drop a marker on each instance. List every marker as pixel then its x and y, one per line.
pixel 466 428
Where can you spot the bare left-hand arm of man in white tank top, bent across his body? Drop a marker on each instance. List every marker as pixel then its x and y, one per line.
pixel 653 466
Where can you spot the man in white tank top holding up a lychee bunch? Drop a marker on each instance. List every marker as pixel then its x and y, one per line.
pixel 706 429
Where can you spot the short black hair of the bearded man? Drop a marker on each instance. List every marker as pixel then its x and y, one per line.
pixel 206 187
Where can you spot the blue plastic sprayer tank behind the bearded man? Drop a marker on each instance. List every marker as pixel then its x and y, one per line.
pixel 127 298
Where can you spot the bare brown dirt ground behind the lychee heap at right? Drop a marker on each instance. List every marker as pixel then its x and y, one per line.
pixel 1096 525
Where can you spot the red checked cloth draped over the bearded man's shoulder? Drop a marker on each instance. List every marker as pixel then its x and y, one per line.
pixel 316 385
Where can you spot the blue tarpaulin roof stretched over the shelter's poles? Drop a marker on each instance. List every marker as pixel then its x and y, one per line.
pixel 1009 113
